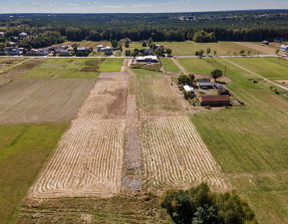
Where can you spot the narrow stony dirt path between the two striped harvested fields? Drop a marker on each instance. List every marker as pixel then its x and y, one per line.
pixel 132 180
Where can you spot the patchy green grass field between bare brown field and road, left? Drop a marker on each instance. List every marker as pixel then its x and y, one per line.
pixel 65 68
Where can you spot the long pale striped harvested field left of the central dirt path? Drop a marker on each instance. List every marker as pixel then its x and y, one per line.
pixel 89 158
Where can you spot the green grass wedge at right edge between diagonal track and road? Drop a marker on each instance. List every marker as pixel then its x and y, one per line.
pixel 264 67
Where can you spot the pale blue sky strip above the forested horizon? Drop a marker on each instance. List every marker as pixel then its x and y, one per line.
pixel 137 6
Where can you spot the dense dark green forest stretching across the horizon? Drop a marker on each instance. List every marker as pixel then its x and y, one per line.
pixel 201 27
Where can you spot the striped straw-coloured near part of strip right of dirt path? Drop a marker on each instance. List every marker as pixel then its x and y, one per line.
pixel 175 156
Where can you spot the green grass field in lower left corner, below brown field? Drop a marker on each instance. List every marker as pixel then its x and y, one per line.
pixel 23 152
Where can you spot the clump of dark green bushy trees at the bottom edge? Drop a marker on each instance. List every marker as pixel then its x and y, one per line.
pixel 199 205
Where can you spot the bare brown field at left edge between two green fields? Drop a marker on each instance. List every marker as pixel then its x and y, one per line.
pixel 32 101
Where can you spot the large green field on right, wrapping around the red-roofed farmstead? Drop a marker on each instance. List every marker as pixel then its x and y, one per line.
pixel 249 143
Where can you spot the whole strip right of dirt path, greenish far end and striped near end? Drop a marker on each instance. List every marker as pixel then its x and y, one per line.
pixel 174 154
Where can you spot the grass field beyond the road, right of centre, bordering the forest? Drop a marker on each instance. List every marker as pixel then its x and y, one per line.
pixel 189 47
